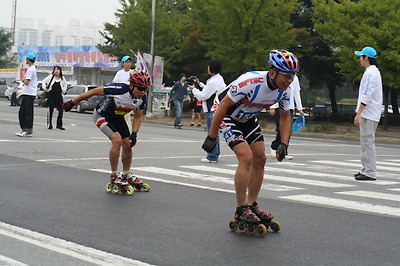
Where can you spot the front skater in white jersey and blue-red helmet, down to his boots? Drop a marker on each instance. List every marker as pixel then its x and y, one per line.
pixel 236 118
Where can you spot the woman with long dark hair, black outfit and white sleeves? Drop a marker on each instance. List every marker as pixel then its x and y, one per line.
pixel 55 86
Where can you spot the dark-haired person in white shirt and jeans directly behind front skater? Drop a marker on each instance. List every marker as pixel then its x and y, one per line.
pixel 214 85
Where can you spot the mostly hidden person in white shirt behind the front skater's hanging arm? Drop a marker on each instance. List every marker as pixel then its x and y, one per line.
pixel 274 110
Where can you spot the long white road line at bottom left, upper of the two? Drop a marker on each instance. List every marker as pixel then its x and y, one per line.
pixel 65 247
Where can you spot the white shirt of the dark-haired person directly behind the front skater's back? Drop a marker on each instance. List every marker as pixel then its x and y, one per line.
pixel 215 84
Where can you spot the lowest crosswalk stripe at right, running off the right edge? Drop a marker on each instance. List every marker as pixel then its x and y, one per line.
pixel 344 204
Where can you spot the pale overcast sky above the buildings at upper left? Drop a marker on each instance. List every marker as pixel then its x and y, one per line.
pixel 59 12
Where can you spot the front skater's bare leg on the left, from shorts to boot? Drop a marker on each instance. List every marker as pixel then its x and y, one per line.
pixel 244 155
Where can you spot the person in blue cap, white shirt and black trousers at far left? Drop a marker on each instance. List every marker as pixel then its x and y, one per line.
pixel 28 95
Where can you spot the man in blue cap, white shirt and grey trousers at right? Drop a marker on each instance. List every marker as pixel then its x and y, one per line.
pixel 368 110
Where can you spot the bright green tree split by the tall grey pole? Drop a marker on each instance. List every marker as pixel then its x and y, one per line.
pixel 132 31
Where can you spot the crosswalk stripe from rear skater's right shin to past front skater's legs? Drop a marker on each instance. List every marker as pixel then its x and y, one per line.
pixel 203 177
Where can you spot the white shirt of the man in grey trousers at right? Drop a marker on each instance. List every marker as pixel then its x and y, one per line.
pixel 370 93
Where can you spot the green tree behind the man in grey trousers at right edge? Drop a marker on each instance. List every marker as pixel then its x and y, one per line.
pixel 349 26
